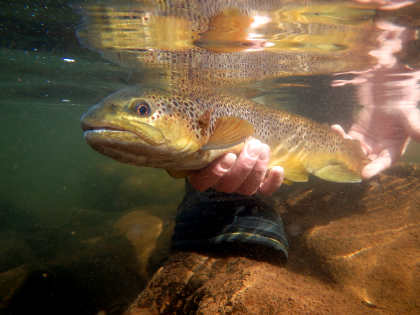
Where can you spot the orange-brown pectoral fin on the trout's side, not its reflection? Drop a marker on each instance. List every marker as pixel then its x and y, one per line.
pixel 228 131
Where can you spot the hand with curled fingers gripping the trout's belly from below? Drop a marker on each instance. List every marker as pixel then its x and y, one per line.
pixel 245 174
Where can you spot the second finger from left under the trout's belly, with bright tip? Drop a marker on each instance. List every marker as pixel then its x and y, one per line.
pixel 242 167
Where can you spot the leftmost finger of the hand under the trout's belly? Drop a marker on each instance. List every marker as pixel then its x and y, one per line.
pixel 209 176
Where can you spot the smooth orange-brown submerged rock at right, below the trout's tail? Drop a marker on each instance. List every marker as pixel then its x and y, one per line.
pixel 375 251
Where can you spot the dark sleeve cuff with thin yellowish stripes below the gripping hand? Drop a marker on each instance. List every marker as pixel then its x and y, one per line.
pixel 210 218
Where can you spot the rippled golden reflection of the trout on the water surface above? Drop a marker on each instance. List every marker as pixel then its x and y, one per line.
pixel 226 43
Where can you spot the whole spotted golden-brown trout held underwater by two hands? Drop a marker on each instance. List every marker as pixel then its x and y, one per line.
pixel 184 130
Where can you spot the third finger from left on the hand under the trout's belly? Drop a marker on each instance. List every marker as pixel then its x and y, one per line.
pixel 256 177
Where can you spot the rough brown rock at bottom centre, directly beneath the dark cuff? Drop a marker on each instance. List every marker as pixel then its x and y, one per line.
pixel 191 283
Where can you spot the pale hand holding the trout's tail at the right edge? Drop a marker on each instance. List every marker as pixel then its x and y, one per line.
pixel 383 135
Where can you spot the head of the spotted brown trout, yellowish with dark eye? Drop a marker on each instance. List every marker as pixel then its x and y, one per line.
pixel 143 127
